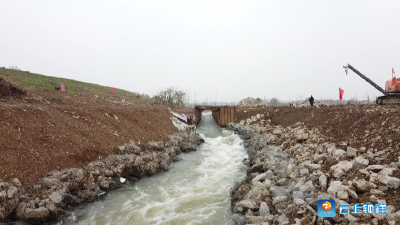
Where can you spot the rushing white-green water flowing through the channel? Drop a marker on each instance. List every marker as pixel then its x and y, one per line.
pixel 194 191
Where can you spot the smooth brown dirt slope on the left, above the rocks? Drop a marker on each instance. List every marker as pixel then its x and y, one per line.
pixel 41 131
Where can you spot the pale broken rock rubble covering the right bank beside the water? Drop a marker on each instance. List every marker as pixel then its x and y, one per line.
pixel 292 168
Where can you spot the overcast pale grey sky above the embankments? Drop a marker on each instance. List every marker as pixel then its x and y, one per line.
pixel 283 49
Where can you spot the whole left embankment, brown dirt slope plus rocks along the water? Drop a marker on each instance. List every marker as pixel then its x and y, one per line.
pixel 62 149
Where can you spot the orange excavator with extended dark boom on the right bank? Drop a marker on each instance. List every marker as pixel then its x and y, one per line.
pixel 391 94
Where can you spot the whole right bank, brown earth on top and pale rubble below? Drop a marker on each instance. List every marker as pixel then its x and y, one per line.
pixel 300 155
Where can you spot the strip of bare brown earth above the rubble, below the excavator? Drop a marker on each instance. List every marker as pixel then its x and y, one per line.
pixel 357 125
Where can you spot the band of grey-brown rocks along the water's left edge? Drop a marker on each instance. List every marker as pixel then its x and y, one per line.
pixel 51 197
